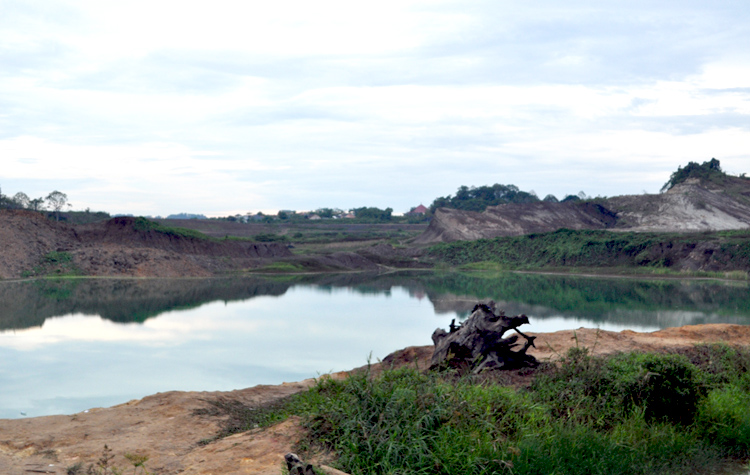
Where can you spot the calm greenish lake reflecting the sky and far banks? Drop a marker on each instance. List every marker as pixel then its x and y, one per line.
pixel 74 344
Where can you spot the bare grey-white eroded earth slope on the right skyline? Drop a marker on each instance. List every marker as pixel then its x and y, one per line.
pixel 689 206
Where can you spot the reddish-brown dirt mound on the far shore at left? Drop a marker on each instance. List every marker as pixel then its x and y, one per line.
pixel 34 245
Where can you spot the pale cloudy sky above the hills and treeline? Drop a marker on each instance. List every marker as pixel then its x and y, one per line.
pixel 223 107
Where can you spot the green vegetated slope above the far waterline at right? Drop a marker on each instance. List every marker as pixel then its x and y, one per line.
pixel 594 248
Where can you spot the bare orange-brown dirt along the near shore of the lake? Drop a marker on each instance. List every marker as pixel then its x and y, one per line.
pixel 165 427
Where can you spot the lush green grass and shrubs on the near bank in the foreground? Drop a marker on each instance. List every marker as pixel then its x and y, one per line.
pixel 628 414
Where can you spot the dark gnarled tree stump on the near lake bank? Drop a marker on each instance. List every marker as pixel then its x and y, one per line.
pixel 478 343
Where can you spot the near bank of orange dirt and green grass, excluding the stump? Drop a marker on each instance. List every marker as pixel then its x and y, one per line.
pixel 681 412
